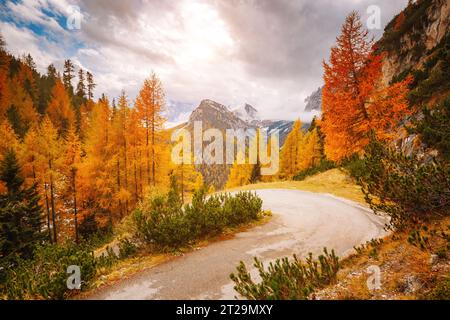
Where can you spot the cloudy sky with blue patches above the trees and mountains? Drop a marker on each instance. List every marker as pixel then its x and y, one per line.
pixel 264 52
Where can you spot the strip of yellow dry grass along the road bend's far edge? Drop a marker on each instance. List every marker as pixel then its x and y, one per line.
pixel 334 181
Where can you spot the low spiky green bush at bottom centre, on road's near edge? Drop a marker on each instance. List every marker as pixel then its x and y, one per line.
pixel 285 279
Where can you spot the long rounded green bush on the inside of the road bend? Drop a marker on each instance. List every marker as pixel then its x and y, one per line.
pixel 163 222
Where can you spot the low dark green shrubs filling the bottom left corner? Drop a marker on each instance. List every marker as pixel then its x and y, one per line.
pixel 45 276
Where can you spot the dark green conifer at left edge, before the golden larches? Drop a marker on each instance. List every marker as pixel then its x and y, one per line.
pixel 20 213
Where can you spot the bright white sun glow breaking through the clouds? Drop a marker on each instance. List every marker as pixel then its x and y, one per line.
pixel 205 36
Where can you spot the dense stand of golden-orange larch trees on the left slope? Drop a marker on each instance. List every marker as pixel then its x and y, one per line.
pixel 91 161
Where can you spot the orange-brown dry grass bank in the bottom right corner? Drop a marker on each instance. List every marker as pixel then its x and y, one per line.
pixel 407 272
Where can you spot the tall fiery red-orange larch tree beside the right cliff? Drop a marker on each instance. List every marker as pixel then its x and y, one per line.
pixel 355 104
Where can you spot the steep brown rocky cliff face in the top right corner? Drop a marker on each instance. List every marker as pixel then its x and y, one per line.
pixel 412 34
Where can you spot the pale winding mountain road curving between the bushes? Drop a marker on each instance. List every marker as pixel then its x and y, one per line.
pixel 302 222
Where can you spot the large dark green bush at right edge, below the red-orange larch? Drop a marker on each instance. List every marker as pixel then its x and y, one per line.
pixel 404 187
